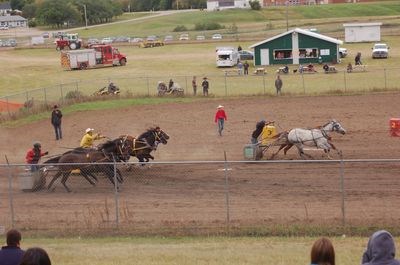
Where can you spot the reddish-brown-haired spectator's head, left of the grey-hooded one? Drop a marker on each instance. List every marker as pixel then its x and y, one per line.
pixel 322 252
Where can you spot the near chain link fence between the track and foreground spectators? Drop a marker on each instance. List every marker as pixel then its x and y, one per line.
pixel 201 197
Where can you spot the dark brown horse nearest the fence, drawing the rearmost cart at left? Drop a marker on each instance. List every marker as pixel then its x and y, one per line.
pixel 110 151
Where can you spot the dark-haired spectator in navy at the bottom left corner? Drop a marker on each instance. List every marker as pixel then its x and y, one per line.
pixel 11 254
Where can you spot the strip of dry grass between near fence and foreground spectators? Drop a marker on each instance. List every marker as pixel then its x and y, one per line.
pixel 212 250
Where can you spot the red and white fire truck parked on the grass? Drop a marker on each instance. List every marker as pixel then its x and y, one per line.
pixel 97 56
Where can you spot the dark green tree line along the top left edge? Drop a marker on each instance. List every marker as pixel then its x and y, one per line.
pixel 60 13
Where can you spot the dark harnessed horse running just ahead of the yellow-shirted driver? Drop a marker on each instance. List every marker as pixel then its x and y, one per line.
pixel 144 144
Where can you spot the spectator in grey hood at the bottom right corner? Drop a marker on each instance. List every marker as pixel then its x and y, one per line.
pixel 381 250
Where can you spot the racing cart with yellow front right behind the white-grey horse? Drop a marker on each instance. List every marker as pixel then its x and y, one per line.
pixel 268 139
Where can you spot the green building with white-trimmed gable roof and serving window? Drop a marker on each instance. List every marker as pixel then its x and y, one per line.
pixel 296 46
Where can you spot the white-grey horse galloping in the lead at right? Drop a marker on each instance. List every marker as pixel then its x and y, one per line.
pixel 317 137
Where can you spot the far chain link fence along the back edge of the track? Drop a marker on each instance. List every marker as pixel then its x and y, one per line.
pixel 373 79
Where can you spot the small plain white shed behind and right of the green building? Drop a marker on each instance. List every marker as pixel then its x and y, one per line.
pixel 362 32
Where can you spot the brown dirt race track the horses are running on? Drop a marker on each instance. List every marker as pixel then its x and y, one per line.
pixel 193 194
